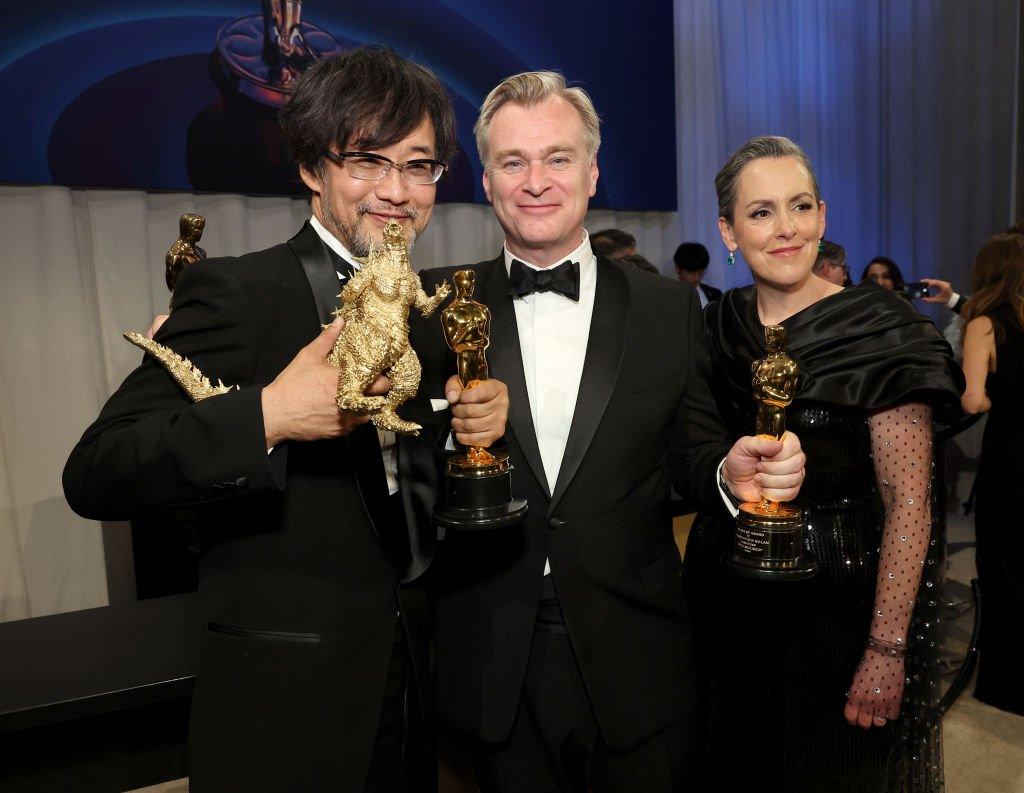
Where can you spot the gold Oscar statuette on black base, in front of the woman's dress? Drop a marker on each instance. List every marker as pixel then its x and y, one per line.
pixel 770 538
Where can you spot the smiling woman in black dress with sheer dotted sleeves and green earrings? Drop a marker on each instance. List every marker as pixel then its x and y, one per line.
pixel 825 685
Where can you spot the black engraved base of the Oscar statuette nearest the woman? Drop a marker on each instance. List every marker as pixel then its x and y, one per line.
pixel 770 545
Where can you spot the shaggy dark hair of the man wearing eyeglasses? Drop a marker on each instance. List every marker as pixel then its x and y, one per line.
pixel 369 99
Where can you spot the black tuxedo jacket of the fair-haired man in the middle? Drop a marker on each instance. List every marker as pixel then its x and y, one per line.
pixel 606 524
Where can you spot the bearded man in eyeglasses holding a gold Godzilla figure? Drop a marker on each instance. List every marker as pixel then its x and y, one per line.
pixel 313 671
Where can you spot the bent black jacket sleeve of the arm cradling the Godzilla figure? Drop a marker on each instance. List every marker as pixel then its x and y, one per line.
pixel 152 447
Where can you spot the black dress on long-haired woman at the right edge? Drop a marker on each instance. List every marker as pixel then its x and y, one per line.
pixel 999 526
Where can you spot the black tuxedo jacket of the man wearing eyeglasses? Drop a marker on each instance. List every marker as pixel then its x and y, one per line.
pixel 298 600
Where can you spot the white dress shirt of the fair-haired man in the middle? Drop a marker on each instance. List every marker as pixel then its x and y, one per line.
pixel 553 337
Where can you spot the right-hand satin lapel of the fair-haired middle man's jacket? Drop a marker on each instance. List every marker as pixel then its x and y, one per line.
pixel 609 329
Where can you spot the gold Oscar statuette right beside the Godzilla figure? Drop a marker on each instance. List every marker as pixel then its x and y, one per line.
pixel 479 481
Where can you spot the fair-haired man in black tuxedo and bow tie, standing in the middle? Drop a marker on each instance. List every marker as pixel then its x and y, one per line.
pixel 563 645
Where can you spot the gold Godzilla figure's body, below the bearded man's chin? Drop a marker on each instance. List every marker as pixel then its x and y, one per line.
pixel 375 305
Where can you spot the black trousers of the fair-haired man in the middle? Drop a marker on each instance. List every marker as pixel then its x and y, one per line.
pixel 557 745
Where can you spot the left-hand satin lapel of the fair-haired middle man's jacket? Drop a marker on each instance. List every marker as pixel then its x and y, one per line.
pixel 505 361
